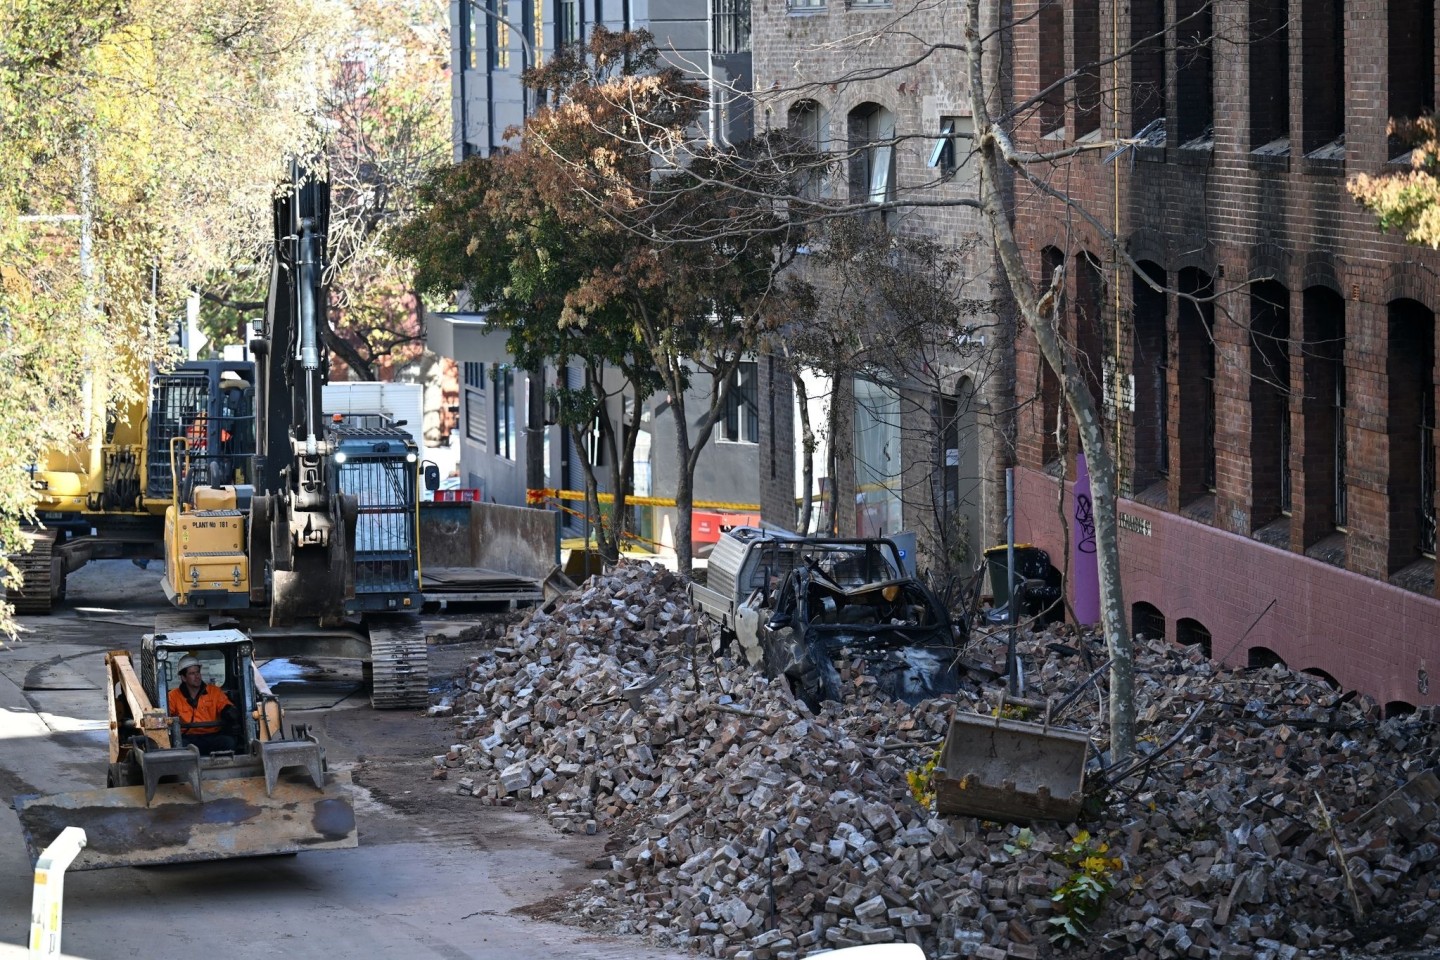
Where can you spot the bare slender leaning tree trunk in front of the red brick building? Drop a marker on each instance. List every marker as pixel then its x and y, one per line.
pixel 1043 316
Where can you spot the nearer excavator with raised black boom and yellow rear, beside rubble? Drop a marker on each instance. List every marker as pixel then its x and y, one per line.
pixel 318 556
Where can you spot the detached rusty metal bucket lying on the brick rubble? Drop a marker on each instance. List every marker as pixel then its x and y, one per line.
pixel 1010 771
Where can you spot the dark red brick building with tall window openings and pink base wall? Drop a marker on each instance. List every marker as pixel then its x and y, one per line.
pixel 1275 402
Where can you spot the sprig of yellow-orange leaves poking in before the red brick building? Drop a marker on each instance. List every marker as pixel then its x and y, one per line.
pixel 1409 201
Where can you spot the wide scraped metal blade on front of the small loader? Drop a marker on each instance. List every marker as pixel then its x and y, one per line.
pixel 235 820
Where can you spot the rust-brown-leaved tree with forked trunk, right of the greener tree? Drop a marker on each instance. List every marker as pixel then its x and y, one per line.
pixel 630 172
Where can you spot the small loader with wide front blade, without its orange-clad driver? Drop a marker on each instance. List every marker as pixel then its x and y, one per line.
pixel 165 802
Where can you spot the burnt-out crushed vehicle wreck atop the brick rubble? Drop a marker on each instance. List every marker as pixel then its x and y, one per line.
pixel 794 605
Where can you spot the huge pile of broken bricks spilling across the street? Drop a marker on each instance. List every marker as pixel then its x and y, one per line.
pixel 1266 815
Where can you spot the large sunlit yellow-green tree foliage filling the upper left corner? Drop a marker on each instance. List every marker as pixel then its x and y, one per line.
pixel 139 153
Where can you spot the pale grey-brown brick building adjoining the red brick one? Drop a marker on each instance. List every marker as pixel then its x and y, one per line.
pixel 912 448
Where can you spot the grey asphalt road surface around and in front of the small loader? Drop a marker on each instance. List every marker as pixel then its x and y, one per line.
pixel 436 874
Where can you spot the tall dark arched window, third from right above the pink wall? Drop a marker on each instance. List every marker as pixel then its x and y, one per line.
pixel 1269 402
